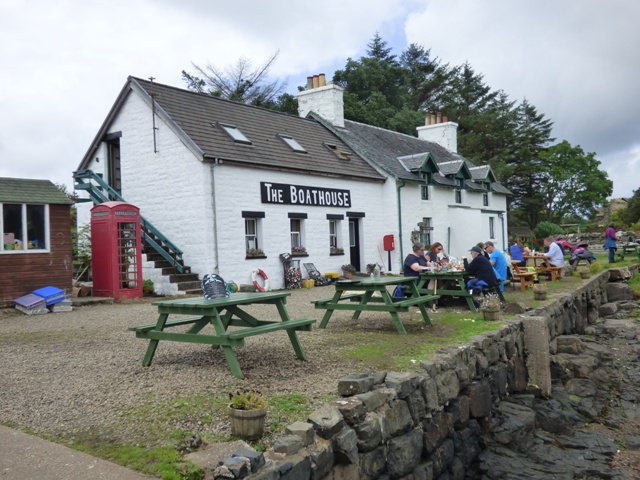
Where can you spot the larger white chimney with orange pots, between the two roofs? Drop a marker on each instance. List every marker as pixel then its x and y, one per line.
pixel 325 100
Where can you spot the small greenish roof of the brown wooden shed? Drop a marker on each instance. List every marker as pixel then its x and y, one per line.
pixel 22 190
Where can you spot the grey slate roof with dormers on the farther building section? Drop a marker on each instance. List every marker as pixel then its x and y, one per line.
pixel 400 155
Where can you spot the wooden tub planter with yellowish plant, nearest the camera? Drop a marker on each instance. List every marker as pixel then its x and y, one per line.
pixel 247 410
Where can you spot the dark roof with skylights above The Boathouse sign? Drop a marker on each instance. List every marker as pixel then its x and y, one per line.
pixel 196 118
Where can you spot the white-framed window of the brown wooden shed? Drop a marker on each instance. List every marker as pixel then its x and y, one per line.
pixel 24 227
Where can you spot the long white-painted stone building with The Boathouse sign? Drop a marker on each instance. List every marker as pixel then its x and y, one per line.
pixel 222 181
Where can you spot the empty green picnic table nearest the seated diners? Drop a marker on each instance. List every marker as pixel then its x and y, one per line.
pixel 371 295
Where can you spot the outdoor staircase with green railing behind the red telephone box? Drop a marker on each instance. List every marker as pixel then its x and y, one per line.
pixel 168 265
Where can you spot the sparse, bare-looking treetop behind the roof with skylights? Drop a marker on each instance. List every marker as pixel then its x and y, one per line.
pixel 240 83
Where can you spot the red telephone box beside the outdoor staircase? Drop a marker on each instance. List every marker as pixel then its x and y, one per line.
pixel 116 250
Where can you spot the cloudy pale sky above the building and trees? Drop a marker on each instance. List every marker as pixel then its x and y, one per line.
pixel 63 63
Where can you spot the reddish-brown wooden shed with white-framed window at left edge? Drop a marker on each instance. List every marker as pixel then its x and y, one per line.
pixel 35 223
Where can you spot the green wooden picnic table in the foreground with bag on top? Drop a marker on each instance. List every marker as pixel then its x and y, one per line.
pixel 221 313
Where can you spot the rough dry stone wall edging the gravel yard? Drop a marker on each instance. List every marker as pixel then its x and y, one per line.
pixel 433 423
